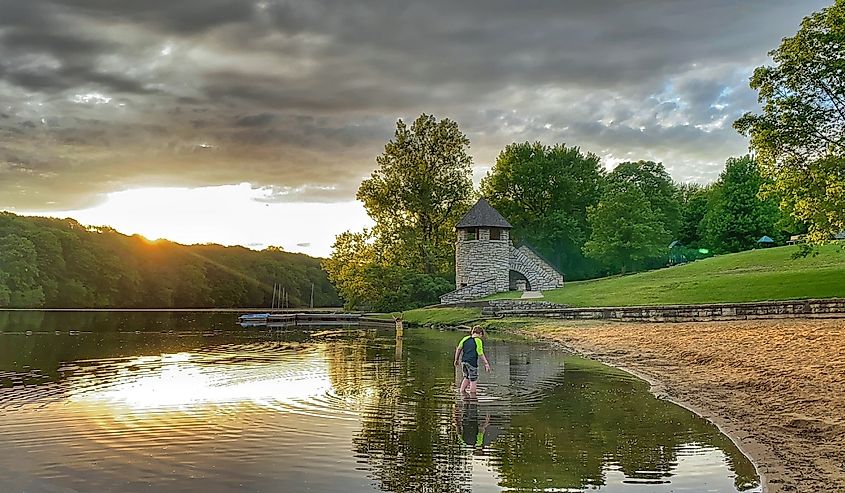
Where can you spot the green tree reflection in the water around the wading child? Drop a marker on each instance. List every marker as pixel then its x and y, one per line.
pixel 542 425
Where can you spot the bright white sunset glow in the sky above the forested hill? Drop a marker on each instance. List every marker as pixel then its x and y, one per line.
pixel 227 214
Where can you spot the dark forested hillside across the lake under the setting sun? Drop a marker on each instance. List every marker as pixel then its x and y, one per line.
pixel 59 263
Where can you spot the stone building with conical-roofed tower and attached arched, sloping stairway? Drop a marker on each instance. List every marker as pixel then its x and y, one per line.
pixel 486 261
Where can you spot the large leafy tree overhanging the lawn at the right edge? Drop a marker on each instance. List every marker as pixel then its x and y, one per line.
pixel 799 138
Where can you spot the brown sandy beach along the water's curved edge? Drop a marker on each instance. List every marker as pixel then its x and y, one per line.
pixel 776 387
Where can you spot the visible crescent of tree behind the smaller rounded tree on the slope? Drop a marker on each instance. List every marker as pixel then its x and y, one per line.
pixel 657 186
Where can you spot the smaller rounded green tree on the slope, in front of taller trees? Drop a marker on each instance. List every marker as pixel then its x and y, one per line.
pixel 627 233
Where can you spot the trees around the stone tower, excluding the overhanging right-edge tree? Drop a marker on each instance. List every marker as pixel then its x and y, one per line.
pixel 586 221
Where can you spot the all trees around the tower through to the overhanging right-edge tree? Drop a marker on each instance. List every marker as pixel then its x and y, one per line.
pixel 589 222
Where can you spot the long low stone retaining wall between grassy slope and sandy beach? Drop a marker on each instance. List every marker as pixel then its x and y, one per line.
pixel 829 308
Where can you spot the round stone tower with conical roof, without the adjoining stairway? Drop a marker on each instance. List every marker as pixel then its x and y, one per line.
pixel 482 251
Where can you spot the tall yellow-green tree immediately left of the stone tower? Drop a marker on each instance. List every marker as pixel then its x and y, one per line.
pixel 419 191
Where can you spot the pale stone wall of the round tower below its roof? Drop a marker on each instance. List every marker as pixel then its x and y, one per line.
pixel 482 259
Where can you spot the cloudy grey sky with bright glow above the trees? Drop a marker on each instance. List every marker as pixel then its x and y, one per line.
pixel 253 122
